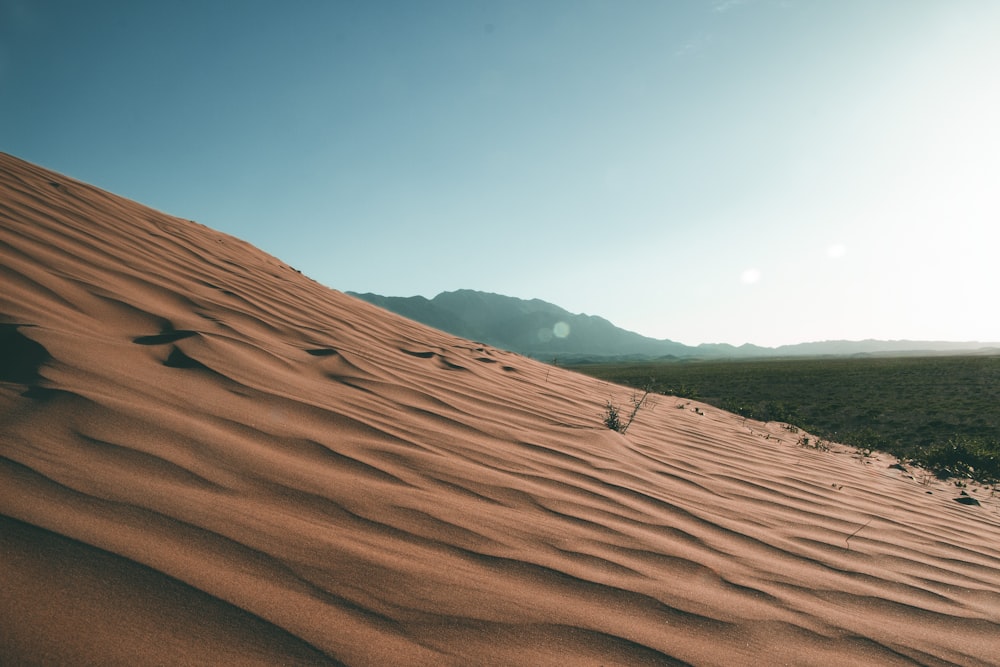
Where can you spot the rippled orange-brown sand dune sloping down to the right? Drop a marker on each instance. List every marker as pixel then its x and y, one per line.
pixel 208 458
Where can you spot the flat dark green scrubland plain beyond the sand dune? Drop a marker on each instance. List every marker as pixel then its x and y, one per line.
pixel 942 412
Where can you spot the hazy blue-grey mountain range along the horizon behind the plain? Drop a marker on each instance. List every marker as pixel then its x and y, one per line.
pixel 545 331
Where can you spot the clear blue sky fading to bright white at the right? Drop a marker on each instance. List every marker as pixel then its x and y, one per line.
pixel 764 171
